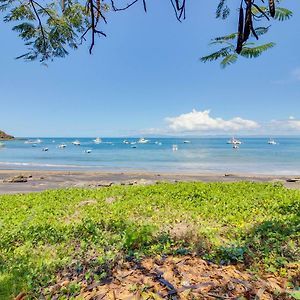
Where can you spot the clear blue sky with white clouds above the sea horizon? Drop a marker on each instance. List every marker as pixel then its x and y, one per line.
pixel 145 78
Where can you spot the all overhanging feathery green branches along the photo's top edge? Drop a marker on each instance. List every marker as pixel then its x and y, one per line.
pixel 51 29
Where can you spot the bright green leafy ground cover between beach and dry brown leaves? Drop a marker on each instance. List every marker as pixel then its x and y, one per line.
pixel 254 225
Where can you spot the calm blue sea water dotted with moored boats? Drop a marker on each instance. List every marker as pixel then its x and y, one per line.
pixel 202 155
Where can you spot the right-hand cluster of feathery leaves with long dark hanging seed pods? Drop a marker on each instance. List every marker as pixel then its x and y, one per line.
pixel 250 13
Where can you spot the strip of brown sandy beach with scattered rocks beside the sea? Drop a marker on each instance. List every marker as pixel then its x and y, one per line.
pixel 26 181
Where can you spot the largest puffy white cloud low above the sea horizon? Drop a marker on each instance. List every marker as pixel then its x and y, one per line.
pixel 202 121
